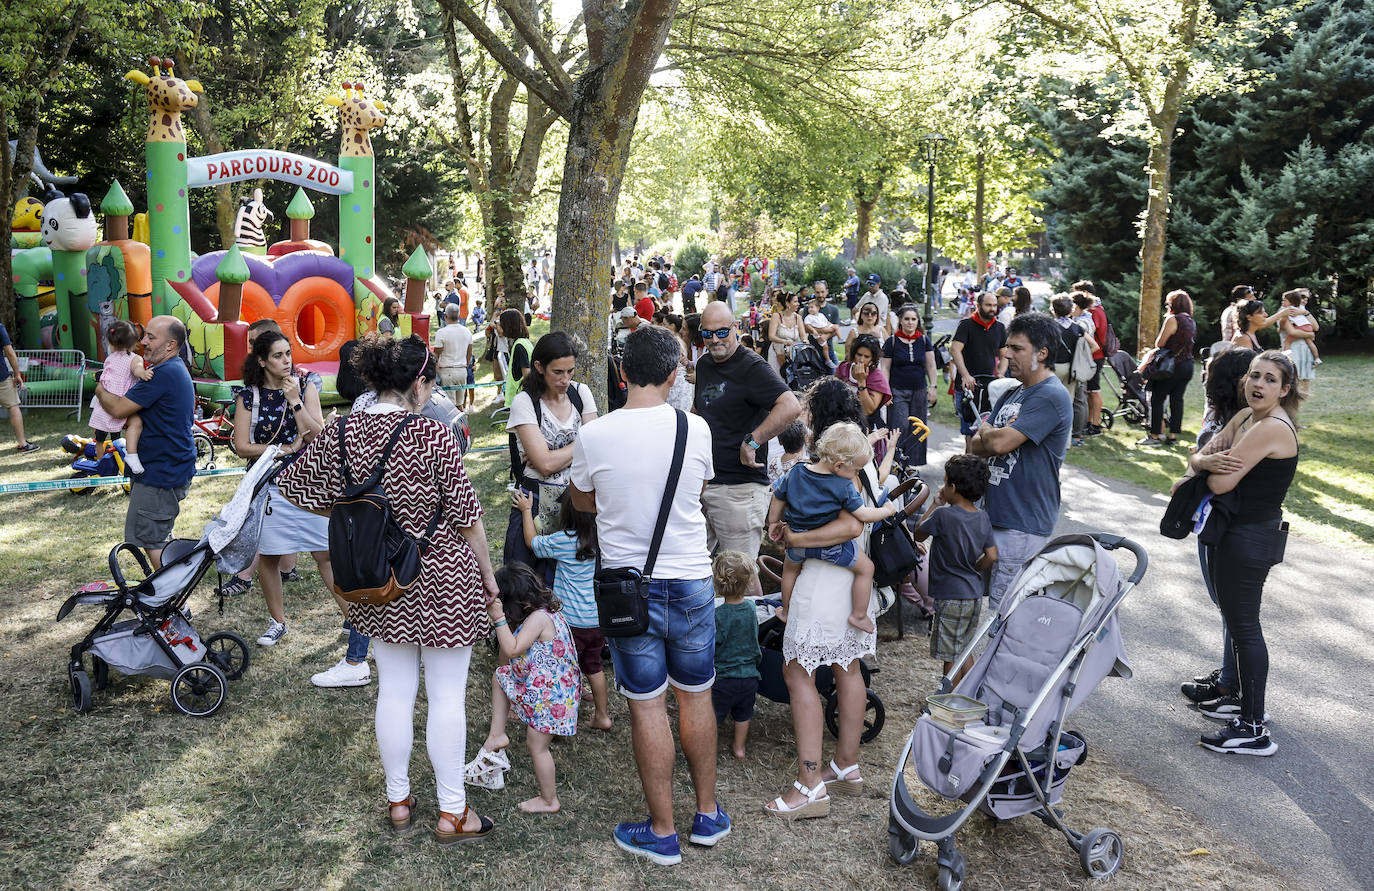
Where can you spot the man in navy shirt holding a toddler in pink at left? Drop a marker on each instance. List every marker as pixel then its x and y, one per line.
pixel 166 404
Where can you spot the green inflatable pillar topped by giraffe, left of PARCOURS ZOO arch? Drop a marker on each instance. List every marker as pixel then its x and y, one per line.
pixel 170 214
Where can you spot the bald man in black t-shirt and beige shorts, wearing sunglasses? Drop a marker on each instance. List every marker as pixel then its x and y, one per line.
pixel 745 405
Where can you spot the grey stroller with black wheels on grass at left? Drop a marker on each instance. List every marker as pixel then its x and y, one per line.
pixel 159 640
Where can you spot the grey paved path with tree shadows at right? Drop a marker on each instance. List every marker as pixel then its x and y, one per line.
pixel 1309 809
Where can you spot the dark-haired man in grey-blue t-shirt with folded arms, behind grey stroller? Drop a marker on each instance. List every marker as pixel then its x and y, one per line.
pixel 1024 441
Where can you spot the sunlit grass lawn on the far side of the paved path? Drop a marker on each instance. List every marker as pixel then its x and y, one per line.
pixel 1332 500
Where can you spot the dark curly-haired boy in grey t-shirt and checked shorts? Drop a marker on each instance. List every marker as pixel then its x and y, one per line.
pixel 962 552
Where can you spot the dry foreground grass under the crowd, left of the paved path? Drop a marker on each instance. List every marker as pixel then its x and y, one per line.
pixel 284 787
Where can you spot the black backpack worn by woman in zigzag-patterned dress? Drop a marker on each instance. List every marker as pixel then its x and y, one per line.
pixel 374 560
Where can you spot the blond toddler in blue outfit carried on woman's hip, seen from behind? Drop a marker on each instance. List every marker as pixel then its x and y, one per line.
pixel 813 496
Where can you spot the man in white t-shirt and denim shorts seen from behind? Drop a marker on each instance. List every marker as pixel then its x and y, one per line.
pixel 679 648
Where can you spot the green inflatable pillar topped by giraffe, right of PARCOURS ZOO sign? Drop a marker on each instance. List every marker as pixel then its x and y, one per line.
pixel 358 116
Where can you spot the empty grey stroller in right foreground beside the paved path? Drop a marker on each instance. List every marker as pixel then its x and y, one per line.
pixel 998 743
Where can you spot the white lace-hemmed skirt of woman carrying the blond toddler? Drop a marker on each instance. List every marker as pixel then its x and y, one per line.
pixel 818 630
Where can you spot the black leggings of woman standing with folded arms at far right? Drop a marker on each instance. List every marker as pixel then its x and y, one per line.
pixel 1240 564
